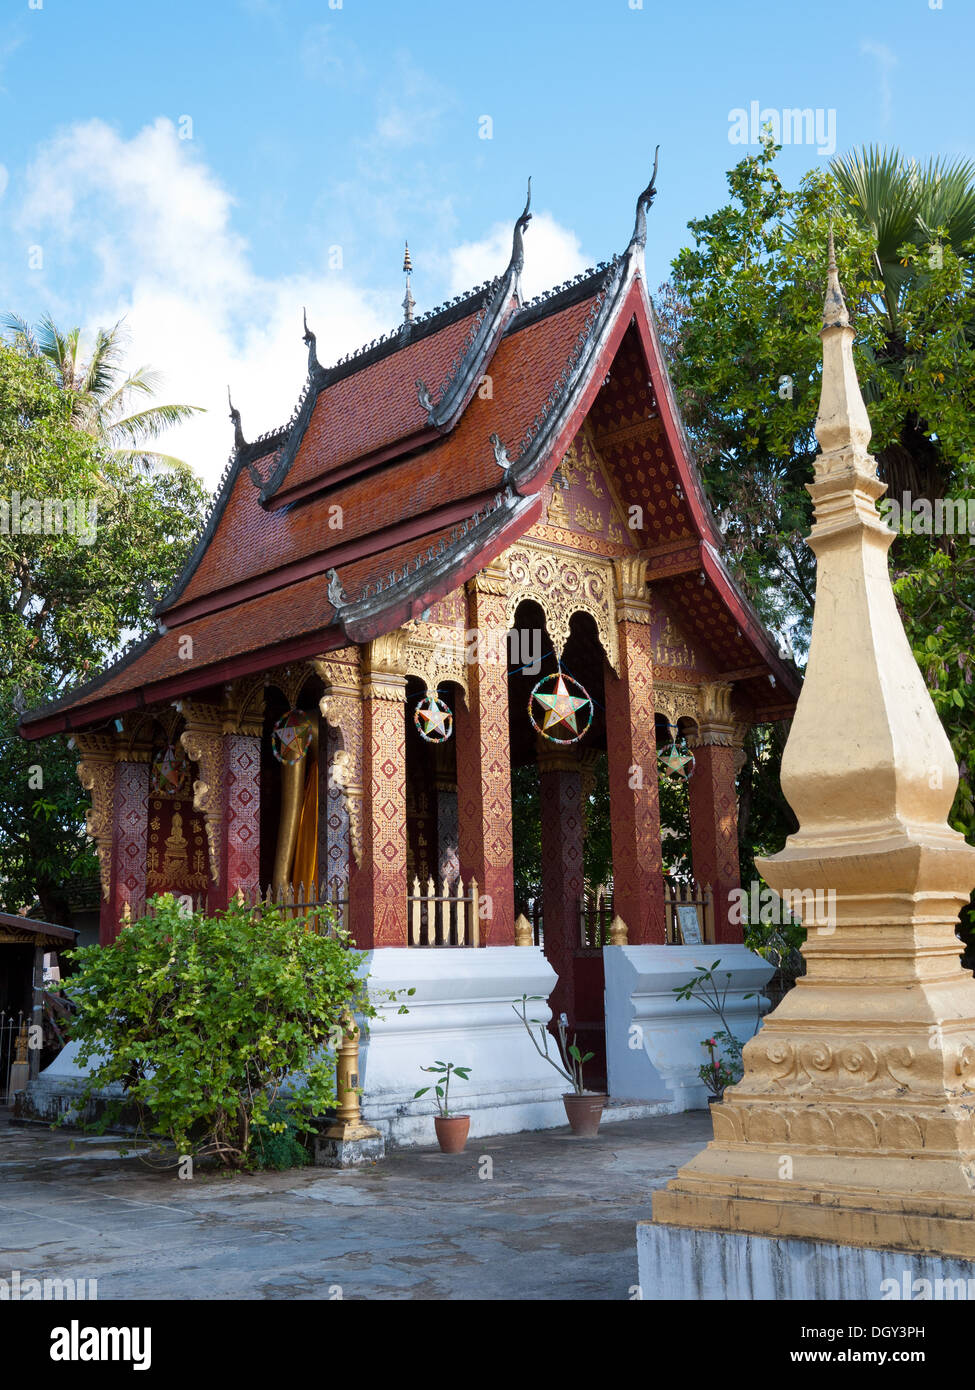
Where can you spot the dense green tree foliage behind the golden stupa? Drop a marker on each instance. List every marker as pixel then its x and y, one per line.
pixel 742 320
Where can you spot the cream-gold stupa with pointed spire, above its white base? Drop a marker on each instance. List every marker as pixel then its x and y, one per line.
pixel 856 1117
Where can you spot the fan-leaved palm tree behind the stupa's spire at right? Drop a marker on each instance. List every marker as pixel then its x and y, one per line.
pixel 901 204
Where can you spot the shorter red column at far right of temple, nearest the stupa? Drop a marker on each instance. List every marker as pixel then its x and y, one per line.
pixel 716 822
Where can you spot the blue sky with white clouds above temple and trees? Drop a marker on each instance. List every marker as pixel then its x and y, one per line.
pixel 322 136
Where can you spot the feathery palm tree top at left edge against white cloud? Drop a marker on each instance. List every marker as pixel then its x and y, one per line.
pixel 102 393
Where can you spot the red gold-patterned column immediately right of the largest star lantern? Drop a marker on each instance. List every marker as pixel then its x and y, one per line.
pixel 632 753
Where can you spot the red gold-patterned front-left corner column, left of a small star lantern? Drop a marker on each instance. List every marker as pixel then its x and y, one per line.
pixel 378 885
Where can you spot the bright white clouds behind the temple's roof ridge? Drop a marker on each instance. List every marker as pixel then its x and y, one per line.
pixel 168 259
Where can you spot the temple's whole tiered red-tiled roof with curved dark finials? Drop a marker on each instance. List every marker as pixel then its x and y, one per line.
pixel 397 479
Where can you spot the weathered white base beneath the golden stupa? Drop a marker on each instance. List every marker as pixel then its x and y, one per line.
pixel 698 1266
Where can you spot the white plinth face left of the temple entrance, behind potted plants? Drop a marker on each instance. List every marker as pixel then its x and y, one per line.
pixel 461 1013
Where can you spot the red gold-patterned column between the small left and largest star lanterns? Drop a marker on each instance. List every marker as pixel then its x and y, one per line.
pixel 485 778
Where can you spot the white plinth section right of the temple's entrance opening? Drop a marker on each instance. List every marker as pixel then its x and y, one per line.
pixel 653 1038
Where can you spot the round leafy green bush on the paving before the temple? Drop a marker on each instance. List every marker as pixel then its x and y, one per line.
pixel 204 1020
